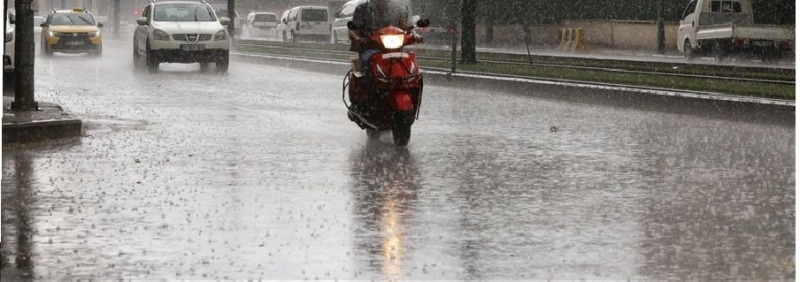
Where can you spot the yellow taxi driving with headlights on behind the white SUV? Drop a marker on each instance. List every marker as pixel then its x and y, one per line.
pixel 71 31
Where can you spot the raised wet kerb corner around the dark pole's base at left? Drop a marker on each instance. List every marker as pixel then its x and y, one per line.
pixel 49 122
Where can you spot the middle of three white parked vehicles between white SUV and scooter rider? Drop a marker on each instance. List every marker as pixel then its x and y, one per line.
pixel 308 22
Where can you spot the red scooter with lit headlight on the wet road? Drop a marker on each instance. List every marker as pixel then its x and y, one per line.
pixel 395 96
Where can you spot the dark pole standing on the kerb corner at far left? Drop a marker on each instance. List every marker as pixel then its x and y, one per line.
pixel 23 58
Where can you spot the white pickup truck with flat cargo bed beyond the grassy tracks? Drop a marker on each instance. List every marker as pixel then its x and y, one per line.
pixel 725 27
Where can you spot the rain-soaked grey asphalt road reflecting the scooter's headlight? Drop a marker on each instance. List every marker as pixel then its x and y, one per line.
pixel 259 174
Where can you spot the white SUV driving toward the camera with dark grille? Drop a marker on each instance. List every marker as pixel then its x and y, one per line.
pixel 181 32
